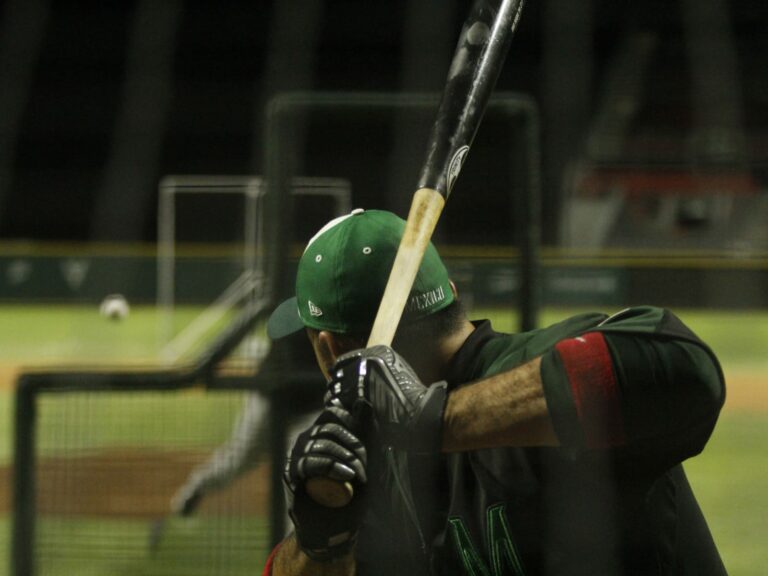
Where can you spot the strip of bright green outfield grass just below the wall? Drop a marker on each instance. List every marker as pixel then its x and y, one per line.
pixel 49 334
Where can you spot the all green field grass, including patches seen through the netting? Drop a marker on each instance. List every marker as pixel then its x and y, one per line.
pixel 730 477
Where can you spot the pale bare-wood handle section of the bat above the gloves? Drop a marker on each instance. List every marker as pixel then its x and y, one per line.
pixel 425 211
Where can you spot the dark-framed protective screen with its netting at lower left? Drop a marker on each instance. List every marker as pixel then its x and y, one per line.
pixel 102 459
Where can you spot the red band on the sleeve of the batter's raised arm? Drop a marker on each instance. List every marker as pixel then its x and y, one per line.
pixel 589 368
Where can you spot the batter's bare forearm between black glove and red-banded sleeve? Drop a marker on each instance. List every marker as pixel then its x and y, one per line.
pixel 508 409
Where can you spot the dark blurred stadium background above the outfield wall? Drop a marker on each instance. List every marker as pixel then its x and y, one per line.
pixel 99 100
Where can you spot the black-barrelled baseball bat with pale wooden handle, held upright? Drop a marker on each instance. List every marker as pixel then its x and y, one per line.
pixel 475 67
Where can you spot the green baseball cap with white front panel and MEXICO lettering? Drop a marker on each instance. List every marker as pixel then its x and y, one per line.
pixel 343 272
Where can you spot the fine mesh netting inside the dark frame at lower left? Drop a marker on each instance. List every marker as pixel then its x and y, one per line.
pixel 107 466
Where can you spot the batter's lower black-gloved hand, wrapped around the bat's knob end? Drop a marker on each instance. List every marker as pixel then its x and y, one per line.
pixel 327 449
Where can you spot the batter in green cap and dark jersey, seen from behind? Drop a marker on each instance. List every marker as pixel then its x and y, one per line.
pixel 470 452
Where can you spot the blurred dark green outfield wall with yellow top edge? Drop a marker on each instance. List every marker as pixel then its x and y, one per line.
pixel 484 276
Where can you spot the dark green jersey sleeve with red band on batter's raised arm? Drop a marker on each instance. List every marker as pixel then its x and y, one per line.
pixel 640 380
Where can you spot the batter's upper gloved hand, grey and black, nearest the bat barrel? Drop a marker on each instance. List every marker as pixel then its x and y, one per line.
pixel 406 414
